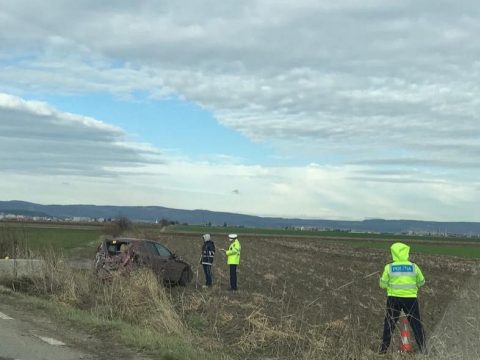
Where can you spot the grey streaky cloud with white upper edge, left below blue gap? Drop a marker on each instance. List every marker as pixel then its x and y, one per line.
pixel 37 139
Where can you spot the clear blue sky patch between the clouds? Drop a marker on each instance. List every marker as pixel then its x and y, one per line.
pixel 177 126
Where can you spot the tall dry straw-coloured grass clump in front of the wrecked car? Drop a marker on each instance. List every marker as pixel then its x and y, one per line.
pixel 137 299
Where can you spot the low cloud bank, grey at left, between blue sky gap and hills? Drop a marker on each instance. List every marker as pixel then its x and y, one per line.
pixel 49 156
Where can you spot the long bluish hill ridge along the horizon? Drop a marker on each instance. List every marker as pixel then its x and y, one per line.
pixel 152 213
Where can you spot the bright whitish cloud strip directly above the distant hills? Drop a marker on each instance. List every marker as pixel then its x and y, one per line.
pixel 313 192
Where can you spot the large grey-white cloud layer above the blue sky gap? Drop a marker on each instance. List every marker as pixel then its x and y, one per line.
pixel 359 78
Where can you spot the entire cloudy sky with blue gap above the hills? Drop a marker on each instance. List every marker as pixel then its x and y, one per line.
pixel 352 109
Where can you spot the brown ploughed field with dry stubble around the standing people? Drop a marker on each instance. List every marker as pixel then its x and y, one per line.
pixel 287 306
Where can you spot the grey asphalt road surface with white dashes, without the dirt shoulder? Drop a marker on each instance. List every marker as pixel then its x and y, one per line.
pixel 21 340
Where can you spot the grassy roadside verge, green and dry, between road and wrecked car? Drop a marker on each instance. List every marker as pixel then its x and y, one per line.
pixel 134 310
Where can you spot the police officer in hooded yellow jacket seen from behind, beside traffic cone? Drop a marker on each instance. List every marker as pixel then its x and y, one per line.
pixel 402 279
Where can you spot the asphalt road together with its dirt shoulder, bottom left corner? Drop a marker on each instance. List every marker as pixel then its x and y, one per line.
pixel 29 334
